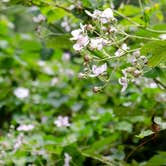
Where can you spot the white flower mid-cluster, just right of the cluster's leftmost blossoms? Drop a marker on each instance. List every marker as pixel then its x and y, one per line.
pixel 97 43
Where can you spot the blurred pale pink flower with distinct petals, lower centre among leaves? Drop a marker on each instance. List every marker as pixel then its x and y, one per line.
pixel 62 121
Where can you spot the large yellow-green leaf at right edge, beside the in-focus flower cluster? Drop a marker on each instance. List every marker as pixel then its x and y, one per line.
pixel 156 52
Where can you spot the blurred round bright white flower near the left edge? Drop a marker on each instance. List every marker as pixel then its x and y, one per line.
pixel 21 92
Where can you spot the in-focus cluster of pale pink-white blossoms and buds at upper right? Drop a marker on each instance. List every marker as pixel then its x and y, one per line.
pixel 104 35
